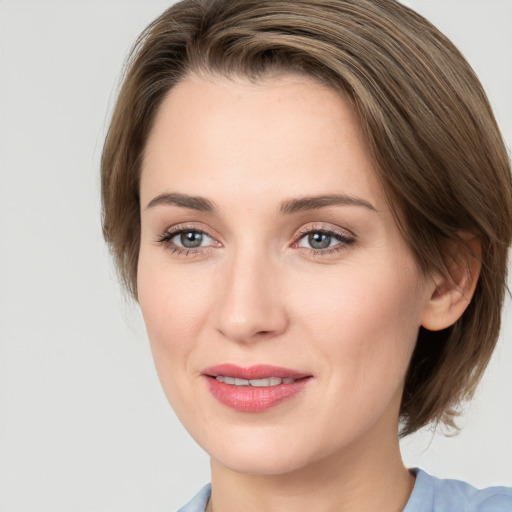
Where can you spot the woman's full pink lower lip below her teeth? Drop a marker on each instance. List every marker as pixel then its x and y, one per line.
pixel 254 399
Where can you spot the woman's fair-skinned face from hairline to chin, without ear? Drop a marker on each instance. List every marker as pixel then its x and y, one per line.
pixel 269 255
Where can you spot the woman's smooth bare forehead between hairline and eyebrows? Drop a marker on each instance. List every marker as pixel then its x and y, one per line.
pixel 286 133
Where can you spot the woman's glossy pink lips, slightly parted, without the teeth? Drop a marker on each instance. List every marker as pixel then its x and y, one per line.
pixel 249 398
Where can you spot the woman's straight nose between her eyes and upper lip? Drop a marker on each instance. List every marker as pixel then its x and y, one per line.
pixel 250 304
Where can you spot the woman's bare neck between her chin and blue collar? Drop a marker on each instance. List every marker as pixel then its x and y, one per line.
pixel 355 480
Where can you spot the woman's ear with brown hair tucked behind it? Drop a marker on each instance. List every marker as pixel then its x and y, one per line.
pixel 453 290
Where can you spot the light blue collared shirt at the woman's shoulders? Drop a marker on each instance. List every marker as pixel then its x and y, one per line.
pixel 430 494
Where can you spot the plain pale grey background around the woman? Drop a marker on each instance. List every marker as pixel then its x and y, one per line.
pixel 84 425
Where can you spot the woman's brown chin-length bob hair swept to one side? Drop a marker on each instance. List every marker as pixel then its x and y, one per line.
pixel 430 131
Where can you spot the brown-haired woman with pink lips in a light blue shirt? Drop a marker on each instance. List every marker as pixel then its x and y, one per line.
pixel 312 204
